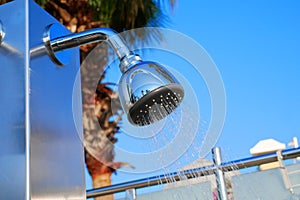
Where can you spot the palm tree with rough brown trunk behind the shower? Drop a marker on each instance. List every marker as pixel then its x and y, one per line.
pixel 121 15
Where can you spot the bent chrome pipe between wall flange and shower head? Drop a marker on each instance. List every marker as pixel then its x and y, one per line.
pixel 127 58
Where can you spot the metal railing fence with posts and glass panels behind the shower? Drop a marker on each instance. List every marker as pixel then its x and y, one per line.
pixel 218 168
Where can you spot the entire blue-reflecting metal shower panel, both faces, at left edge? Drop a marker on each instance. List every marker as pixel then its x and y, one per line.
pixel 55 159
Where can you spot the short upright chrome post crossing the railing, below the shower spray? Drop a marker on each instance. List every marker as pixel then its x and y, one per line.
pixel 220 178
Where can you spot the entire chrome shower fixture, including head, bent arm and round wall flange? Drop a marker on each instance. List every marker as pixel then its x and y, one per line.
pixel 148 92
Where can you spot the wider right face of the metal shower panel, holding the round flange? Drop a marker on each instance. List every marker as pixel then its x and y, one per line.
pixel 57 161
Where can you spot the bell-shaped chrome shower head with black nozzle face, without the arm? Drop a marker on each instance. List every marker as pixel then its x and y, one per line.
pixel 148 93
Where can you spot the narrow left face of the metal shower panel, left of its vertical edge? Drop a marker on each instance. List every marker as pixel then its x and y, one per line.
pixel 12 103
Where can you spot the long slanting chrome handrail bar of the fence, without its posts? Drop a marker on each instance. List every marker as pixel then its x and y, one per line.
pixel 196 172
